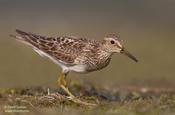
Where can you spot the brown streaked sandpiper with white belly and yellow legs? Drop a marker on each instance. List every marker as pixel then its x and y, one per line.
pixel 74 54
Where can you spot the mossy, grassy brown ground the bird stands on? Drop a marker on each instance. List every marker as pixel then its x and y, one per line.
pixel 123 100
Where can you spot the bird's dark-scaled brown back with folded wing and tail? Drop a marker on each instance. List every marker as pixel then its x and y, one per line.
pixel 67 50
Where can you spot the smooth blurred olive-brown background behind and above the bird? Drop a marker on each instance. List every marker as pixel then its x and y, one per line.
pixel 147 28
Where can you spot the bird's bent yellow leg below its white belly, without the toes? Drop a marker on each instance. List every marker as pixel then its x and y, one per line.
pixel 62 83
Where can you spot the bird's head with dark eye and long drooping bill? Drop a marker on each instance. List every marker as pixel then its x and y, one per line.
pixel 112 44
